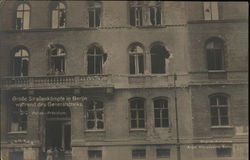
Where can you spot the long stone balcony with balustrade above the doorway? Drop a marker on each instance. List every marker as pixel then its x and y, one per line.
pixel 56 82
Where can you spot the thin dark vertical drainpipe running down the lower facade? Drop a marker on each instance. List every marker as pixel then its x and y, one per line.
pixel 178 151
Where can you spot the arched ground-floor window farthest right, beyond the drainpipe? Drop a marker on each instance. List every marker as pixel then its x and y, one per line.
pixel 219 110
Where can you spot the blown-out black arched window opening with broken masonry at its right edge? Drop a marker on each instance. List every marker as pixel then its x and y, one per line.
pixel 159 54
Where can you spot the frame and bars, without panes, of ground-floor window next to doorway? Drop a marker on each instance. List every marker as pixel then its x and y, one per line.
pixel 95 116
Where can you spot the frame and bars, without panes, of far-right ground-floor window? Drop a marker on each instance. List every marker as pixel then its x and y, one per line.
pixel 218 106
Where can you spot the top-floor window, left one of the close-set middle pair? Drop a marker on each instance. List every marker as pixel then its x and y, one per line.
pixel 135 12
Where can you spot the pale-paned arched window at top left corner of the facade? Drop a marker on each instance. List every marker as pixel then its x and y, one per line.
pixel 23 17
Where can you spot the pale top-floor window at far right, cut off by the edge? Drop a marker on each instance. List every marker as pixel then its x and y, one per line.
pixel 211 11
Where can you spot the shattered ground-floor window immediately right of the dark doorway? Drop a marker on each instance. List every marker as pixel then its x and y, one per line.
pixel 95 115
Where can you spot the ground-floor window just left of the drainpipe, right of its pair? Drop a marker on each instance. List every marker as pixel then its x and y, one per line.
pixel 161 113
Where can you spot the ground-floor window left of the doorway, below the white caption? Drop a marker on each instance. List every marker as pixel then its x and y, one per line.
pixel 18 118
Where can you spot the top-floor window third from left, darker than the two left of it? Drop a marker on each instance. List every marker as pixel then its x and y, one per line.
pixel 94 14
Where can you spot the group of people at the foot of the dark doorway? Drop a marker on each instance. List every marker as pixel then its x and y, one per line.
pixel 54 153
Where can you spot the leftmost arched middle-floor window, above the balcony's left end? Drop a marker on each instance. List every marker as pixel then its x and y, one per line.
pixel 20 62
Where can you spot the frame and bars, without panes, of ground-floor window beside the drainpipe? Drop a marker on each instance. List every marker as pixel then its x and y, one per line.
pixel 161 114
